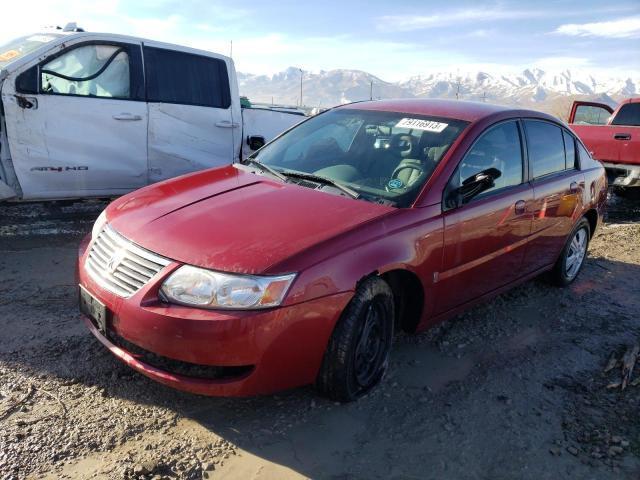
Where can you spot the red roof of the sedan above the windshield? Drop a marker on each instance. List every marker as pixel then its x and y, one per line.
pixel 458 109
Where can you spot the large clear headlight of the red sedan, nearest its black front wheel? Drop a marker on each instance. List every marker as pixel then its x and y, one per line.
pixel 208 289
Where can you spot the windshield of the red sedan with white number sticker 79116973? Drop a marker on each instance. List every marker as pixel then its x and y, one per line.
pixel 384 157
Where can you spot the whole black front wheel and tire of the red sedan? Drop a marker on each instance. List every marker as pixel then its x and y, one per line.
pixel 357 355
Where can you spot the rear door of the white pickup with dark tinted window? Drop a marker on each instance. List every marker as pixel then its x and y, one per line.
pixel 191 126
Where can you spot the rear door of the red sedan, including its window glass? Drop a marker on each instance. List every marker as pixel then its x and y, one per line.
pixel 557 190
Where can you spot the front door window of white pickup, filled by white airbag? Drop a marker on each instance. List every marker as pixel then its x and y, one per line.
pixel 89 70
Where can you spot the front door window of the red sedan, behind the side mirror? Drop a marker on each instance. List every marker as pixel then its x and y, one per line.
pixel 500 148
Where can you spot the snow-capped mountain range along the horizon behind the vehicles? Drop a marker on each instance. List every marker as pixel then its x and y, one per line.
pixel 545 90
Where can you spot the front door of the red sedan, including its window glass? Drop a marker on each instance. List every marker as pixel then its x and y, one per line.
pixel 485 239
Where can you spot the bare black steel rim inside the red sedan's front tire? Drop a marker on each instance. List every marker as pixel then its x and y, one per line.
pixel 370 351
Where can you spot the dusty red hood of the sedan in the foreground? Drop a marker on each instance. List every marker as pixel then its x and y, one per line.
pixel 232 220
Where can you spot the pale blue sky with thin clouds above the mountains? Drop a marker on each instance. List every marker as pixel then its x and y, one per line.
pixel 393 40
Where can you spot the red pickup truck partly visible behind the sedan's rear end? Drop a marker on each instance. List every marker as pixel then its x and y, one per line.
pixel 612 136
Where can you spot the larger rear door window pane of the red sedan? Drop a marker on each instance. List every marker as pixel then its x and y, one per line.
pixel 546 147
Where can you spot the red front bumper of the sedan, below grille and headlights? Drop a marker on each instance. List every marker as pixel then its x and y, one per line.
pixel 266 350
